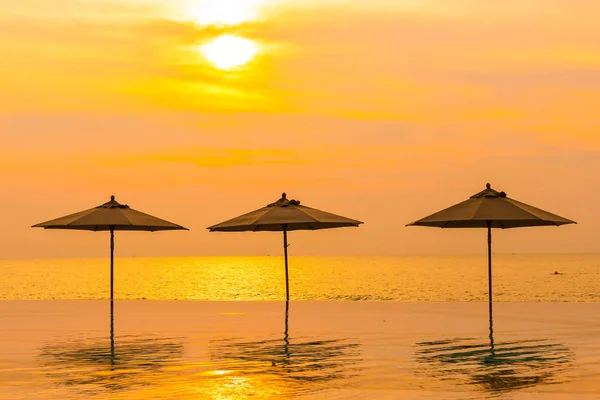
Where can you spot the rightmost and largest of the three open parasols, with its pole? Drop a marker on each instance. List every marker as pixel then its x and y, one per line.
pixel 491 209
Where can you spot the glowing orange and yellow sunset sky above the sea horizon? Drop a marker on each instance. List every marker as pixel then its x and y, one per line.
pixel 385 111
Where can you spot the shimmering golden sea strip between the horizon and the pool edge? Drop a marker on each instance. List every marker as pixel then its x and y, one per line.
pixel 518 277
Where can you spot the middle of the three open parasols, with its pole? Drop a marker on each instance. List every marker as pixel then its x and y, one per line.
pixel 284 215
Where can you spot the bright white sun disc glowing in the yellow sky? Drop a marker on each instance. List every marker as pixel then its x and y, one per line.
pixel 229 51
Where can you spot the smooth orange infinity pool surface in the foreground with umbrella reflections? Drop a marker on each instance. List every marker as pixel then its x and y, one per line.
pixel 307 350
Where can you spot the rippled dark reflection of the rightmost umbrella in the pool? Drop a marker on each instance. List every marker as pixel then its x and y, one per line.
pixel 495 367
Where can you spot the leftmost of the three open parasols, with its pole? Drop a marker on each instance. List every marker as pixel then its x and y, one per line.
pixel 111 216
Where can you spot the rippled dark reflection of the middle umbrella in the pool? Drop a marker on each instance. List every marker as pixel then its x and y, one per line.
pixel 297 365
